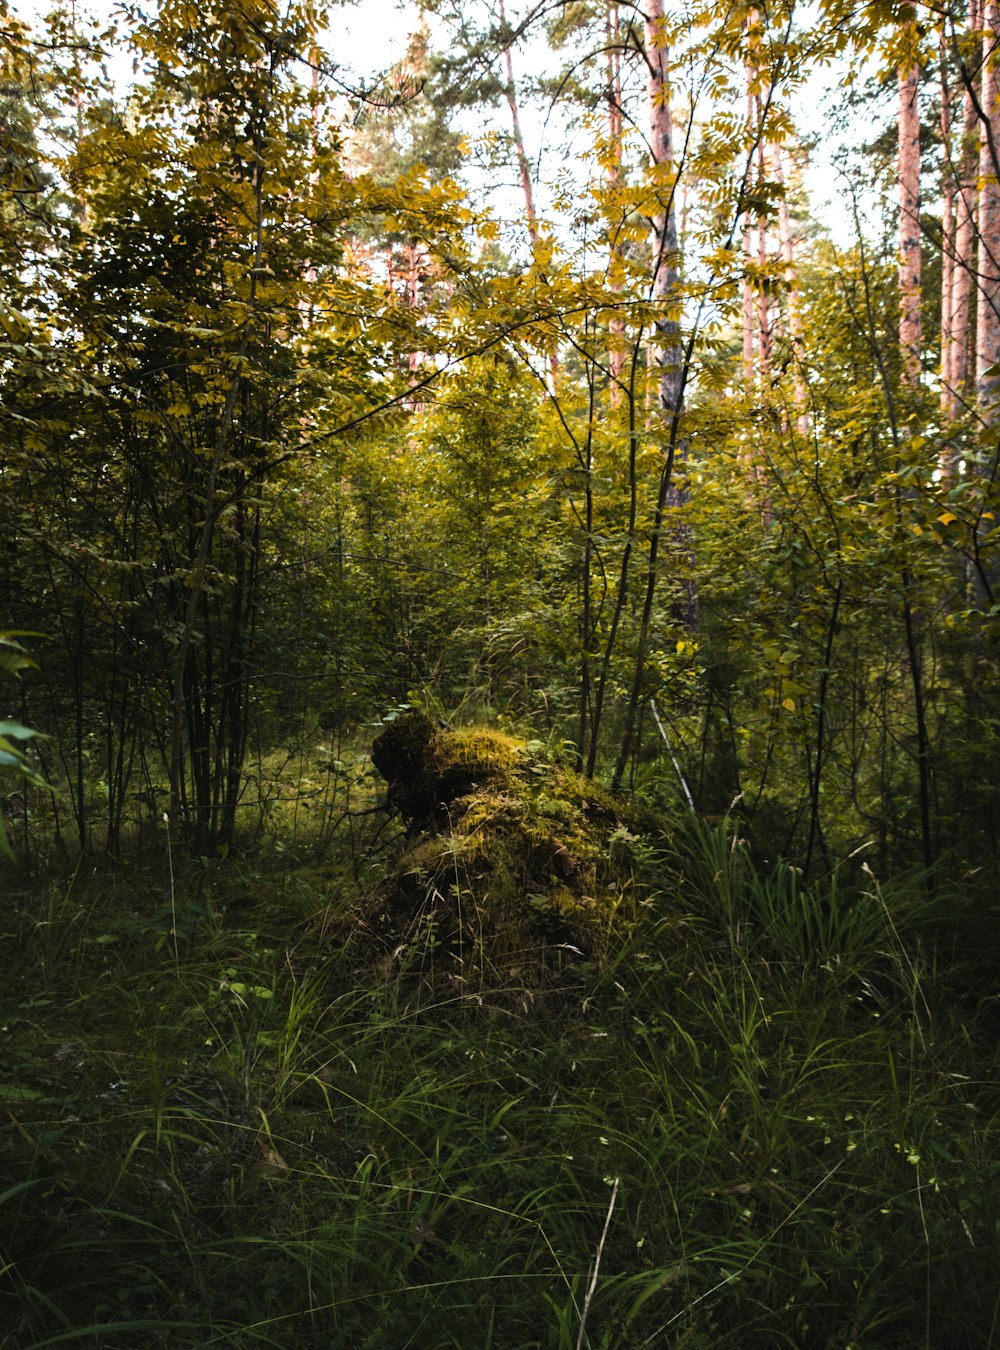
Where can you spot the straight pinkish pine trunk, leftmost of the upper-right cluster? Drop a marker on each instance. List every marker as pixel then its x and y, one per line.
pixel 910 217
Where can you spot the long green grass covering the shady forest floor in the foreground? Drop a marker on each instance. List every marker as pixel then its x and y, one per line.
pixel 767 1116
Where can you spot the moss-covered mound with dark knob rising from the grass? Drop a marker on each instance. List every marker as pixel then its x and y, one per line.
pixel 513 865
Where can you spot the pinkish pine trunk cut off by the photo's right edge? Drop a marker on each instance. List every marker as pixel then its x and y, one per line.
pixel 989 307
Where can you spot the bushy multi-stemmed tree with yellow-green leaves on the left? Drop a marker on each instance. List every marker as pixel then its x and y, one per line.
pixel 180 389
